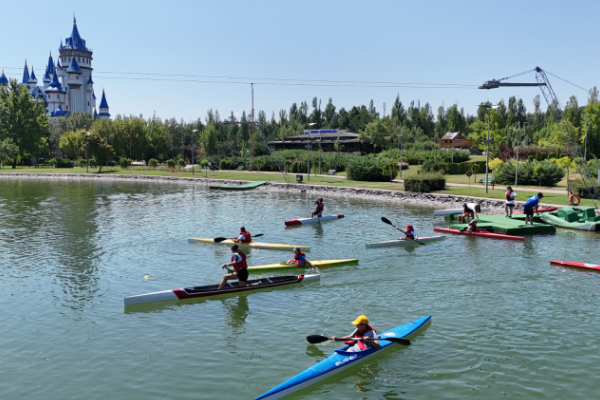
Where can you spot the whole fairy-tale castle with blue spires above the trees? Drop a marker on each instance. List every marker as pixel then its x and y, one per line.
pixel 67 85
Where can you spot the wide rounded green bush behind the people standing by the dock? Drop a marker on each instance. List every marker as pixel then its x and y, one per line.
pixel 550 176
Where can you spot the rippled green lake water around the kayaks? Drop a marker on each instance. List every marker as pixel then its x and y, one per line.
pixel 505 324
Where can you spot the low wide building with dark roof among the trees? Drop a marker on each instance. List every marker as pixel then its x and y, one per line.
pixel 325 137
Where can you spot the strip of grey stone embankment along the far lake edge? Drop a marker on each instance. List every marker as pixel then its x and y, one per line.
pixel 420 199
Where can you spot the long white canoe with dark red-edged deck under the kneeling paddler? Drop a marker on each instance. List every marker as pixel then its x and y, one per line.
pixel 211 290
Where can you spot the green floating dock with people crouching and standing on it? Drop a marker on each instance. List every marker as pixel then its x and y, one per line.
pixel 509 226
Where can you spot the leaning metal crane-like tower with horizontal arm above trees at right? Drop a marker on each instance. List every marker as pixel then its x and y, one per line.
pixel 544 84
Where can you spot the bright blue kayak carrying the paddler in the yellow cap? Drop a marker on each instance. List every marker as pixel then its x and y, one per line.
pixel 341 360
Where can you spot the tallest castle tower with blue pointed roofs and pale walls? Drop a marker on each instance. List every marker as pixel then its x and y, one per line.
pixel 76 76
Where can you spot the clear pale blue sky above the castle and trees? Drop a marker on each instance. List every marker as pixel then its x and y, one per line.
pixel 442 42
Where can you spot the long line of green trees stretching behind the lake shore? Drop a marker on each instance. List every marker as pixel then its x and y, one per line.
pixel 26 134
